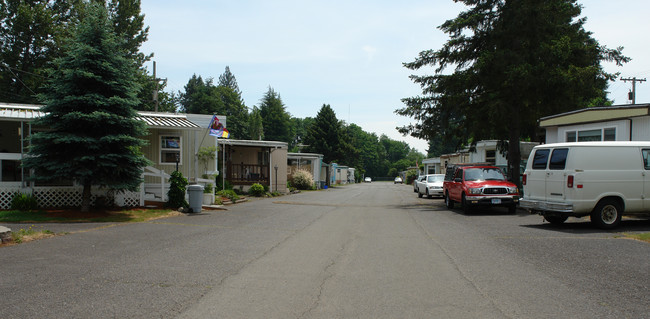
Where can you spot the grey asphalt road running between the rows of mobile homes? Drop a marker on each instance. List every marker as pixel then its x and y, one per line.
pixel 370 250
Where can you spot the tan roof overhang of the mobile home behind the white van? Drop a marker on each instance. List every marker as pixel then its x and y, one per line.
pixel 595 114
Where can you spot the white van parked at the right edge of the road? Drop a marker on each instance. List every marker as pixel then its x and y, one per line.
pixel 603 180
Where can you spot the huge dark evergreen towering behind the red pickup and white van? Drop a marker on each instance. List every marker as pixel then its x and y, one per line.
pixel 515 61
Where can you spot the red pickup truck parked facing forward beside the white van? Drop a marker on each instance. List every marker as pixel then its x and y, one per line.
pixel 479 185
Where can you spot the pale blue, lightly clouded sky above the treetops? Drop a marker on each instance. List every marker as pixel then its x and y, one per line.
pixel 347 54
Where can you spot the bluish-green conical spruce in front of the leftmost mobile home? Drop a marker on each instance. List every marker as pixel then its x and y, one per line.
pixel 89 100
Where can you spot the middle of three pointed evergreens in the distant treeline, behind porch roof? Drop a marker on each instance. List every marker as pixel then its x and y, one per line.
pixel 275 118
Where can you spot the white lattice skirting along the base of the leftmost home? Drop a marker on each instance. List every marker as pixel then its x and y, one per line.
pixel 56 197
